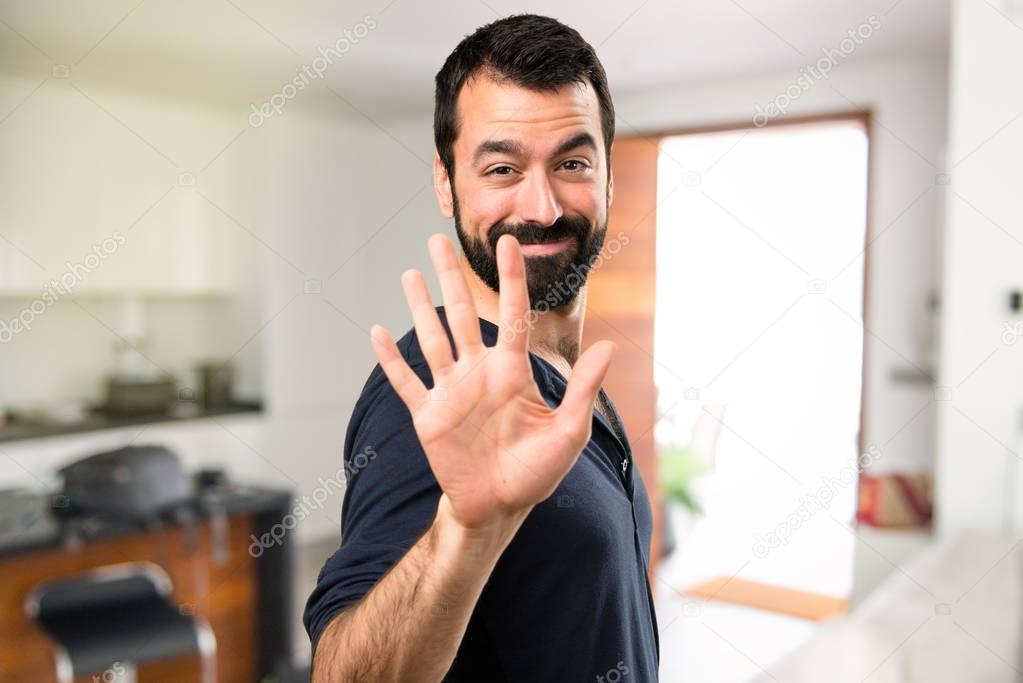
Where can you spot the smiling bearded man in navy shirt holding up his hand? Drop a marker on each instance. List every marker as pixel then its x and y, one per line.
pixel 494 527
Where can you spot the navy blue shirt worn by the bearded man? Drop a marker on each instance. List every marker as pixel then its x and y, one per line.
pixel 568 601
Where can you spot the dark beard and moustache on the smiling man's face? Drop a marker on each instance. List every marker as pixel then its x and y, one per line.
pixel 554 282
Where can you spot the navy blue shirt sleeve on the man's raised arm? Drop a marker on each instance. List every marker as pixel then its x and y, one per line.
pixel 390 502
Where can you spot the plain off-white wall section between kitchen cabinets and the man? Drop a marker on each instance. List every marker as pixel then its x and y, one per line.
pixel 352 208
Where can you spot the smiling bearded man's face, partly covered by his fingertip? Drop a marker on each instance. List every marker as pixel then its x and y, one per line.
pixel 532 165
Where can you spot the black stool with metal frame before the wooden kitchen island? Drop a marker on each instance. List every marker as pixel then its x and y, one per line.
pixel 117 617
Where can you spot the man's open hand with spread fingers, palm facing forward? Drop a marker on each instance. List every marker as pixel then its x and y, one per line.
pixel 494 444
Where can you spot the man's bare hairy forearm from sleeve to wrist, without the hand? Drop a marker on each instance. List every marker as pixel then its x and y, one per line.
pixel 410 626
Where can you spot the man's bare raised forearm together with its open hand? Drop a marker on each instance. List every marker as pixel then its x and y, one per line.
pixel 497 450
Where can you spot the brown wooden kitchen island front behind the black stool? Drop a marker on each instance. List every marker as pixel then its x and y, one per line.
pixel 244 594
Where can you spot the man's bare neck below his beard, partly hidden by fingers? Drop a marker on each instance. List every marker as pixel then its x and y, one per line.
pixel 555 336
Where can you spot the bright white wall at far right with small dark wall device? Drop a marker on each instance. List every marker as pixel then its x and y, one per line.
pixel 982 362
